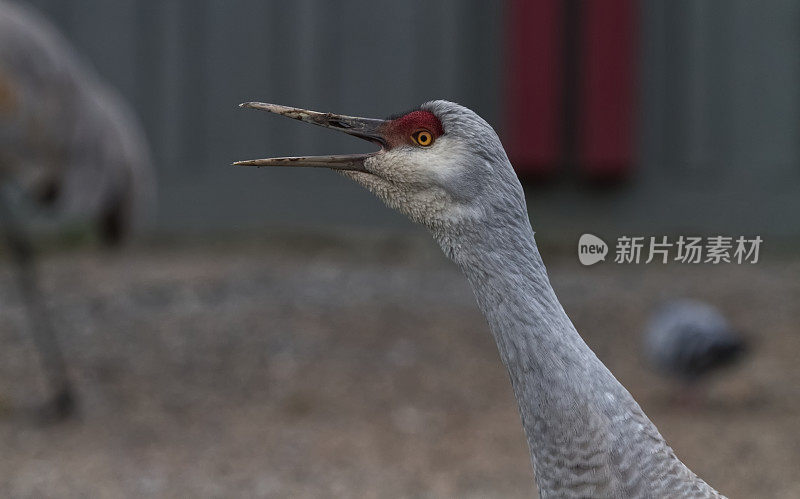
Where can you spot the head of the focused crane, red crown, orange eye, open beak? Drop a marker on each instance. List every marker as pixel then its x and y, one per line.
pixel 440 164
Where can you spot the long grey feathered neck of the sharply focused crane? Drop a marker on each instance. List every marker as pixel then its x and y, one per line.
pixel 585 432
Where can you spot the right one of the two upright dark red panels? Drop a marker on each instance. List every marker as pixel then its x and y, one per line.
pixel 607 89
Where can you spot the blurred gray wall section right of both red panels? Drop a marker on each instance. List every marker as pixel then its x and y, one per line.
pixel 720 117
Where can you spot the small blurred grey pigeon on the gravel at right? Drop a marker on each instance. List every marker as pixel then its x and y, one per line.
pixel 689 340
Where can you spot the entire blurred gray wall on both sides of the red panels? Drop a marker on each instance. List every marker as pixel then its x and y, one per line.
pixel 719 114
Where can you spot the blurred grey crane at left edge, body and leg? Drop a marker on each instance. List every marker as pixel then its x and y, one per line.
pixel 68 143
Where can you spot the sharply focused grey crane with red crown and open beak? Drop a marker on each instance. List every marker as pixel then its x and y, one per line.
pixel 444 167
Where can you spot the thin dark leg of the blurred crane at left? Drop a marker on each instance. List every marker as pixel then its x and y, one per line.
pixel 62 402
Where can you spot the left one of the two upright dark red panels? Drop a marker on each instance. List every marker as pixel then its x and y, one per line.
pixel 534 108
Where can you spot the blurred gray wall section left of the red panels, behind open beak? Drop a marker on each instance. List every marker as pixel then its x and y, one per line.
pixel 186 64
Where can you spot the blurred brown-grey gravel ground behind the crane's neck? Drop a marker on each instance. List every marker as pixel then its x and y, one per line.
pixel 321 369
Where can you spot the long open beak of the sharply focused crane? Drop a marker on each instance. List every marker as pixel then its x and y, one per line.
pixel 365 128
